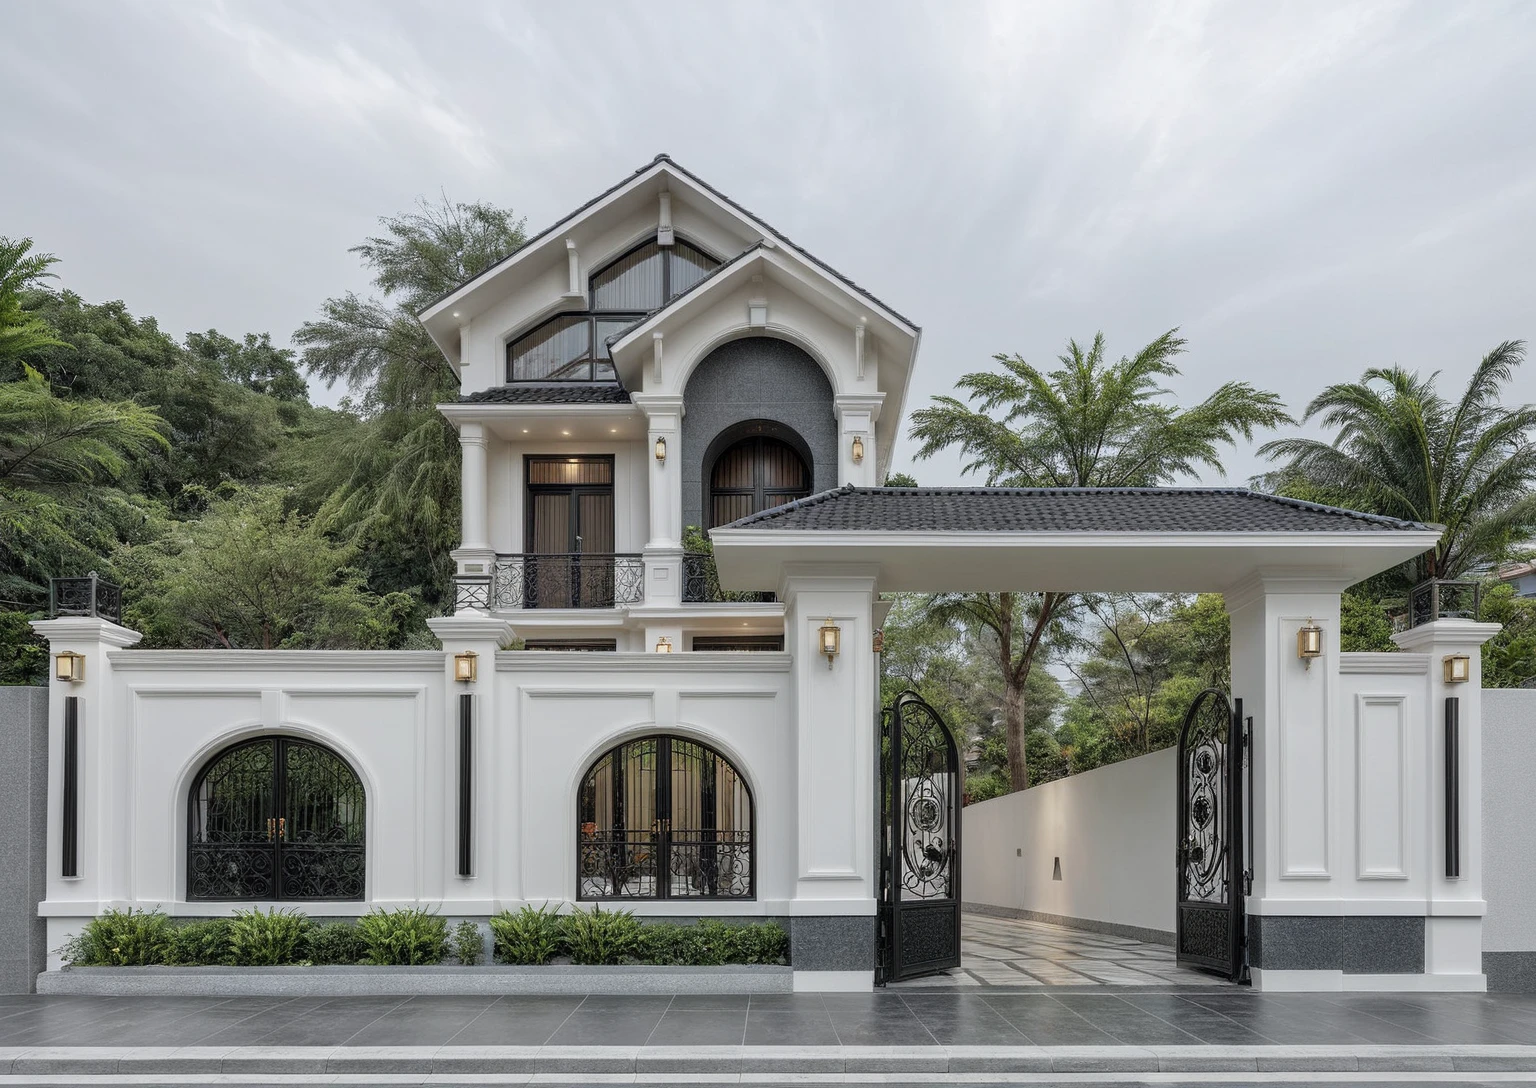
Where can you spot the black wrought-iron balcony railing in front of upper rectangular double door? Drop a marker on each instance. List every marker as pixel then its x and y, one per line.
pixel 580 580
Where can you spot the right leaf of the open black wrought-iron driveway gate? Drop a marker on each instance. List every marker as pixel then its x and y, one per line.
pixel 1210 855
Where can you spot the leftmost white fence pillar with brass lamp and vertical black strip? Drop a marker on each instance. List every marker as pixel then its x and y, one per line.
pixel 105 778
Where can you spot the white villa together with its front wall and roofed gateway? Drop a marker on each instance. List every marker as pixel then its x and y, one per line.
pixel 695 732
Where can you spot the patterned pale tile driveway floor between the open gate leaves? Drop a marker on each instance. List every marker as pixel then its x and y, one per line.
pixel 1016 954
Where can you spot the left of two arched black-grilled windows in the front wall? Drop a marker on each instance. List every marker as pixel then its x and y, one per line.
pixel 276 818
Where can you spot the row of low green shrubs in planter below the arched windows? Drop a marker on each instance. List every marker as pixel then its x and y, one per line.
pixel 412 937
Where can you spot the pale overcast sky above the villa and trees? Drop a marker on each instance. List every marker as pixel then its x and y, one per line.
pixel 1305 190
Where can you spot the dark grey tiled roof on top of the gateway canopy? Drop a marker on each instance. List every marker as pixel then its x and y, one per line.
pixel 1064 511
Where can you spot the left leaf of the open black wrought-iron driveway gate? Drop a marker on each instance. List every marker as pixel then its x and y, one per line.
pixel 919 821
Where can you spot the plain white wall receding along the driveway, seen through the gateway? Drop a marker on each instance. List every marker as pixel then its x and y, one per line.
pixel 1113 829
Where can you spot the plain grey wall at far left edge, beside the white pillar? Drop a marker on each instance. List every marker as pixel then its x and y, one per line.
pixel 24 848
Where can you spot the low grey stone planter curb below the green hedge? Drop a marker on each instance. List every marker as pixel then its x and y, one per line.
pixel 411 981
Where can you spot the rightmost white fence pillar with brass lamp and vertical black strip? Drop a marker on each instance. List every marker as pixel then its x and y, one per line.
pixel 1454 926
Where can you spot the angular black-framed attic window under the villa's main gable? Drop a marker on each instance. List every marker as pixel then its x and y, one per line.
pixel 575 347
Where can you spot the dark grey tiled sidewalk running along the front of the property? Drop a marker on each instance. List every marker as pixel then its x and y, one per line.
pixel 1127 1018
